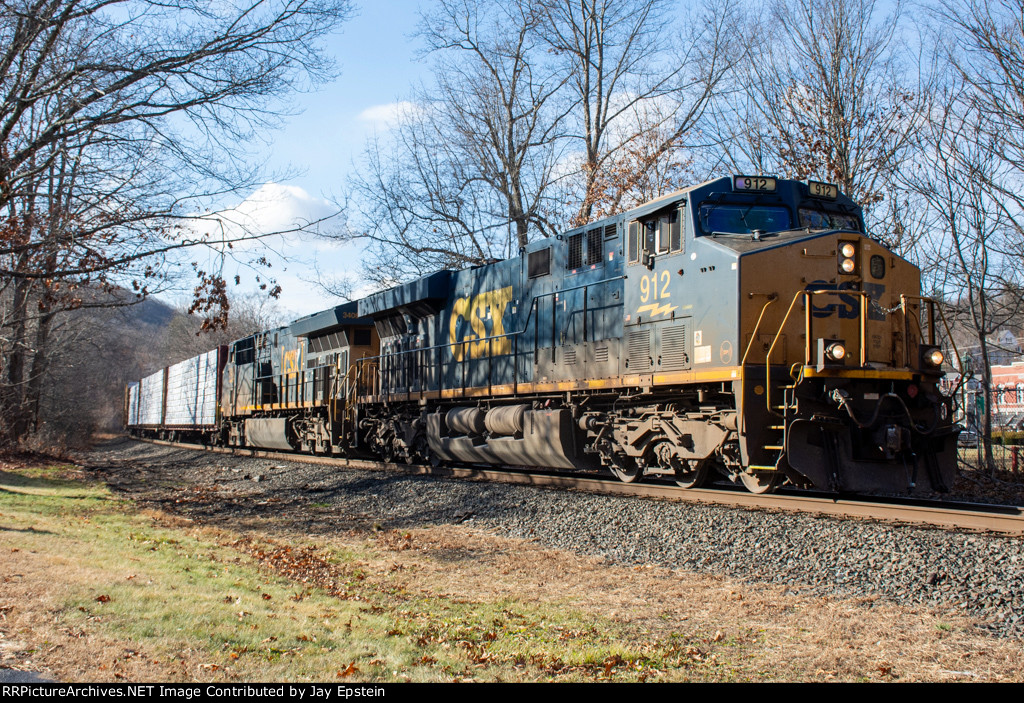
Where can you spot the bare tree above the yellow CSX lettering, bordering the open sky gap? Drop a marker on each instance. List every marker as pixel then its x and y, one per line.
pixel 465 177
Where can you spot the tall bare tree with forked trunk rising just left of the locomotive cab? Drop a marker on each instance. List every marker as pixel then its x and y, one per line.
pixel 642 73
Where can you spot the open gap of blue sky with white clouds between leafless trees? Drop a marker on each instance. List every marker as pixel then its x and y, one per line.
pixel 378 63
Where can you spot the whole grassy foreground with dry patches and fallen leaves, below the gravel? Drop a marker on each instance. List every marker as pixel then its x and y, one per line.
pixel 96 590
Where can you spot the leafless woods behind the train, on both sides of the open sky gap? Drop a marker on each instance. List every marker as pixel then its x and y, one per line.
pixel 539 116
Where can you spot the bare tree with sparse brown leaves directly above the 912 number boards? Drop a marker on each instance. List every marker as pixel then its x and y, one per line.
pixel 833 97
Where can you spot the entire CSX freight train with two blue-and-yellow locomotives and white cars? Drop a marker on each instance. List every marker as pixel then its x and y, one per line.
pixel 745 329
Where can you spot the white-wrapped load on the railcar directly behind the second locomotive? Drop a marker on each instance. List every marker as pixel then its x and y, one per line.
pixel 193 391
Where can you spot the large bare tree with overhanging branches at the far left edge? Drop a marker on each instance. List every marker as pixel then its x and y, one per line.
pixel 121 124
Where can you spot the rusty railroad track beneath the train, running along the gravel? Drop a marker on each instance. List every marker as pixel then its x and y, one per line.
pixel 975 517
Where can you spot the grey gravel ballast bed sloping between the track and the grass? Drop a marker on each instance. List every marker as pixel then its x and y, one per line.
pixel 980 577
